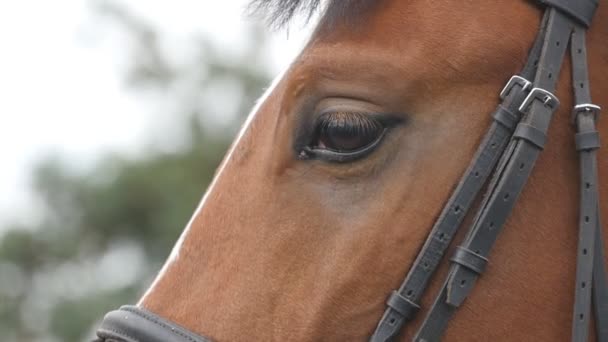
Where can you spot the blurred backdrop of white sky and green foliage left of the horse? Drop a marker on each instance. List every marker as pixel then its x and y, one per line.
pixel 114 116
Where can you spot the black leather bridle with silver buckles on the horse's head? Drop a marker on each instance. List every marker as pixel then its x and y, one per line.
pixel 508 153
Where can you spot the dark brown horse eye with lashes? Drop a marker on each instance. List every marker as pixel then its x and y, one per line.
pixel 346 132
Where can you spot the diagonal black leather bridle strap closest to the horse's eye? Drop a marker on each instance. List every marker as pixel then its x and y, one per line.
pixel 506 116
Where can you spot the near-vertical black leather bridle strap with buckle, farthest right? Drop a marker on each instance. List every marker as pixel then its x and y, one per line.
pixel 588 259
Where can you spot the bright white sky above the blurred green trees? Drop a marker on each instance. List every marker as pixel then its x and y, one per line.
pixel 62 82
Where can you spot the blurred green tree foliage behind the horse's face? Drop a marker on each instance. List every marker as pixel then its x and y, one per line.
pixel 105 232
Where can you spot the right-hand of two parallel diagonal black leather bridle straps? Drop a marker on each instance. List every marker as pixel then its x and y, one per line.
pixel 510 178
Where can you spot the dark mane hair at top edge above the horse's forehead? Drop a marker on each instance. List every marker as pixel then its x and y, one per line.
pixel 278 13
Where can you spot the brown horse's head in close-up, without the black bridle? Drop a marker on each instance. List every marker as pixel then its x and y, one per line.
pixel 289 248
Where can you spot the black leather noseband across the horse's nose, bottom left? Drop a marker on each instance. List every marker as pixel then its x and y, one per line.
pixel 135 324
